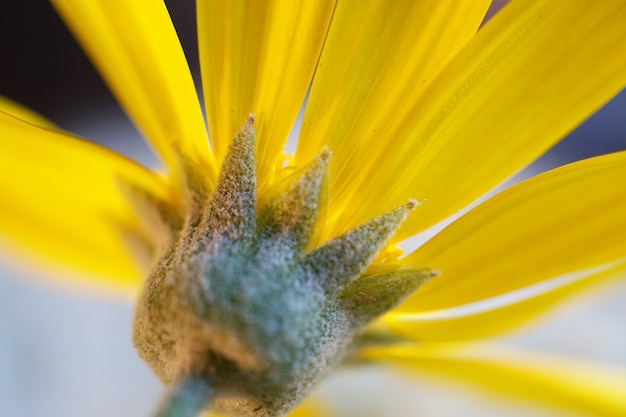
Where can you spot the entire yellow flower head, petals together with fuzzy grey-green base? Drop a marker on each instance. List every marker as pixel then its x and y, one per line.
pixel 263 274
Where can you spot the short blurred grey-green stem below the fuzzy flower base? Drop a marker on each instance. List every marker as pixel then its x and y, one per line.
pixel 189 397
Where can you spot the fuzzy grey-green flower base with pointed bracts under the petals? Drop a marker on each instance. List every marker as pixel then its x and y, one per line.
pixel 241 301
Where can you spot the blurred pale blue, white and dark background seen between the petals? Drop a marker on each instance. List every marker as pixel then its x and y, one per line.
pixel 67 354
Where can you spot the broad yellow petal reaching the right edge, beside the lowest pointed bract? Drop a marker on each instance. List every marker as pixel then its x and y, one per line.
pixel 567 220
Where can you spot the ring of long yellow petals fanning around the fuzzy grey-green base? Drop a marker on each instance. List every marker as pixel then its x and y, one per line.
pixel 413 103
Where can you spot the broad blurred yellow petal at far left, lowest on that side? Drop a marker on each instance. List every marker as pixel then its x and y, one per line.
pixel 62 200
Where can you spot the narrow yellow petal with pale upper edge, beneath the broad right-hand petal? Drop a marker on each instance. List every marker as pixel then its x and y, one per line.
pixel 496 315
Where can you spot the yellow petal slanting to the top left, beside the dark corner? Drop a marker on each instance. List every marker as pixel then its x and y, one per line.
pixel 134 46
